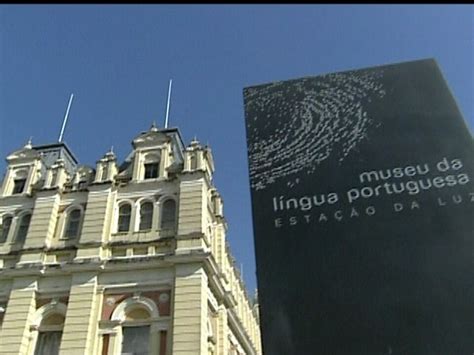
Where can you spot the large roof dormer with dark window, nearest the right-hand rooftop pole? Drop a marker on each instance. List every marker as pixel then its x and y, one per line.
pixel 152 155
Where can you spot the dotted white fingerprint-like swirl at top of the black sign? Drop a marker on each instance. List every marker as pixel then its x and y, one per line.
pixel 307 121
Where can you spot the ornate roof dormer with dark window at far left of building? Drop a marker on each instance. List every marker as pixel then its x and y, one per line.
pixel 23 171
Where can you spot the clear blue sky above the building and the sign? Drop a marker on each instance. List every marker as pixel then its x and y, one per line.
pixel 118 59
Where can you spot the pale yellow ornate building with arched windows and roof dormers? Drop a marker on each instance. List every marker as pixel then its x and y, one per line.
pixel 119 259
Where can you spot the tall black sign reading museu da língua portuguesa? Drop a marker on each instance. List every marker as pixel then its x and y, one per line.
pixel 363 213
